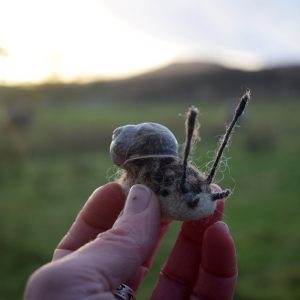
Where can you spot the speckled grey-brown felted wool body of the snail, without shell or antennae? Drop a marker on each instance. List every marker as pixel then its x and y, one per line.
pixel 163 176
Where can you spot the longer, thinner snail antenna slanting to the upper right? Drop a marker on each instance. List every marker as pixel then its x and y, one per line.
pixel 238 112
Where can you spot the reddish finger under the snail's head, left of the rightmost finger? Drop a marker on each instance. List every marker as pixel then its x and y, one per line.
pixel 181 270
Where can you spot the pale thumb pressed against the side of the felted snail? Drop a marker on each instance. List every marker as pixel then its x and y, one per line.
pixel 114 255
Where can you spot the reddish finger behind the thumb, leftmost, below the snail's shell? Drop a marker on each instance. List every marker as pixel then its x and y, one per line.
pixel 98 214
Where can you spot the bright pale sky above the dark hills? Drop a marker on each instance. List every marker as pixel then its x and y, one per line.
pixel 83 40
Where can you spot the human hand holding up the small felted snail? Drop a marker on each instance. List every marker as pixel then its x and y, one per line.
pixel 108 245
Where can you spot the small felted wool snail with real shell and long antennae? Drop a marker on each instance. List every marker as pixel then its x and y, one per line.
pixel 148 154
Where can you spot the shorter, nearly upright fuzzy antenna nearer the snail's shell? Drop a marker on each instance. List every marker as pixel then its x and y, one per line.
pixel 191 124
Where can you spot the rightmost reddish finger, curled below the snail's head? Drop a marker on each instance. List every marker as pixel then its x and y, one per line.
pixel 218 270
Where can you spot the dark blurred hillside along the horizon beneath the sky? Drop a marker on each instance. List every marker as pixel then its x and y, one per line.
pixel 177 82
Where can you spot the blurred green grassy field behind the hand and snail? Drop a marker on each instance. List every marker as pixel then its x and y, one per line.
pixel 48 171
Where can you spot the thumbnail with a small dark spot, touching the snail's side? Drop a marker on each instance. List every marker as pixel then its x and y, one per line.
pixel 137 199
